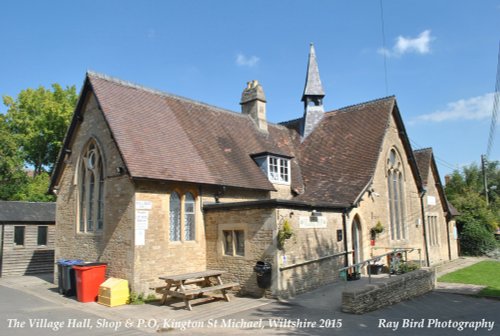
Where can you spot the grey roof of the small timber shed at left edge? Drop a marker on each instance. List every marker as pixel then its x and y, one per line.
pixel 27 212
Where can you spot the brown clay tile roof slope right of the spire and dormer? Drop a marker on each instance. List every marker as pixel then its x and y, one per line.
pixel 338 159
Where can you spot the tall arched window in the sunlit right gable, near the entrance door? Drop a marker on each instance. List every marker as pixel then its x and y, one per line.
pixel 395 186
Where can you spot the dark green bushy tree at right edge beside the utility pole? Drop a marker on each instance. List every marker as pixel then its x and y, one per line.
pixel 477 220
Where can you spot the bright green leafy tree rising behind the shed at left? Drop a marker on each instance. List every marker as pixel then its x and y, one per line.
pixel 38 120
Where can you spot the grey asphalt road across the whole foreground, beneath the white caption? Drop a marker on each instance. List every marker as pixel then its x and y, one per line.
pixel 309 314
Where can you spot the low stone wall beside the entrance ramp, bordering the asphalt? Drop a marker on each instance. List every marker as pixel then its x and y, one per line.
pixel 360 300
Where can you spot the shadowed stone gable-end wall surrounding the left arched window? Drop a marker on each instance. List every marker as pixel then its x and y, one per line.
pixel 114 244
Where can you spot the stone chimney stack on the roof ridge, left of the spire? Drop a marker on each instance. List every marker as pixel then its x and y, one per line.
pixel 253 103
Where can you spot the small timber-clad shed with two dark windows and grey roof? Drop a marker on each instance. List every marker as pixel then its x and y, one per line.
pixel 27 232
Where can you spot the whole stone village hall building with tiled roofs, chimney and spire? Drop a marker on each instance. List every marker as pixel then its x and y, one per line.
pixel 155 184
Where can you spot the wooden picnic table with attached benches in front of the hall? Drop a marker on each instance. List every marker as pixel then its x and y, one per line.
pixel 188 285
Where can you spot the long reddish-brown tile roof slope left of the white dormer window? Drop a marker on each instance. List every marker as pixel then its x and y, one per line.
pixel 166 137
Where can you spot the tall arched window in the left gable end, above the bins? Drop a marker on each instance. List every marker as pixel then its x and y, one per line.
pixel 91 189
